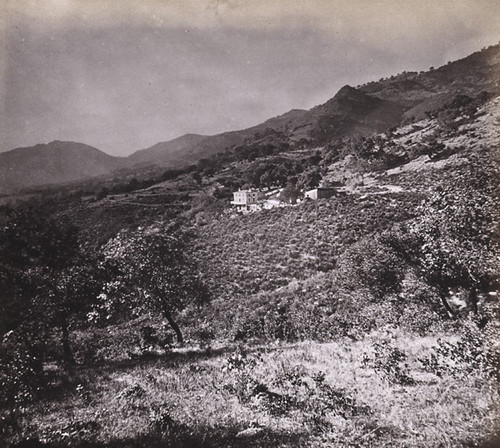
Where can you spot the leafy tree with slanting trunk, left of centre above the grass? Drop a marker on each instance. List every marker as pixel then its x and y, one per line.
pixel 154 273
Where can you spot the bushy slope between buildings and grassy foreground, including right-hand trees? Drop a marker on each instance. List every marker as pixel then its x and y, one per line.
pixel 399 259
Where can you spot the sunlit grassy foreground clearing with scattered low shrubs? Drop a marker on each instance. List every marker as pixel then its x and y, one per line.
pixel 387 390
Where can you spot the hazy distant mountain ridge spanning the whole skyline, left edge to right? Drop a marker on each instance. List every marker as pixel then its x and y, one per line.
pixel 371 108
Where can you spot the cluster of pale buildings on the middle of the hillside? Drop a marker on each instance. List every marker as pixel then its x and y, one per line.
pixel 254 200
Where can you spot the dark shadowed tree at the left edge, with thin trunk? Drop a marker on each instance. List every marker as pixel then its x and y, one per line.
pixel 47 278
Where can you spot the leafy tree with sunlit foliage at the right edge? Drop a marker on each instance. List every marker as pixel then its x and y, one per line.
pixel 452 243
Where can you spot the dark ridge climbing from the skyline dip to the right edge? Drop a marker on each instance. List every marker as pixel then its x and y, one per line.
pixel 371 108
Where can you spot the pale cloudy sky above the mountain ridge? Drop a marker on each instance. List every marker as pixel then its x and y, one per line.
pixel 123 75
